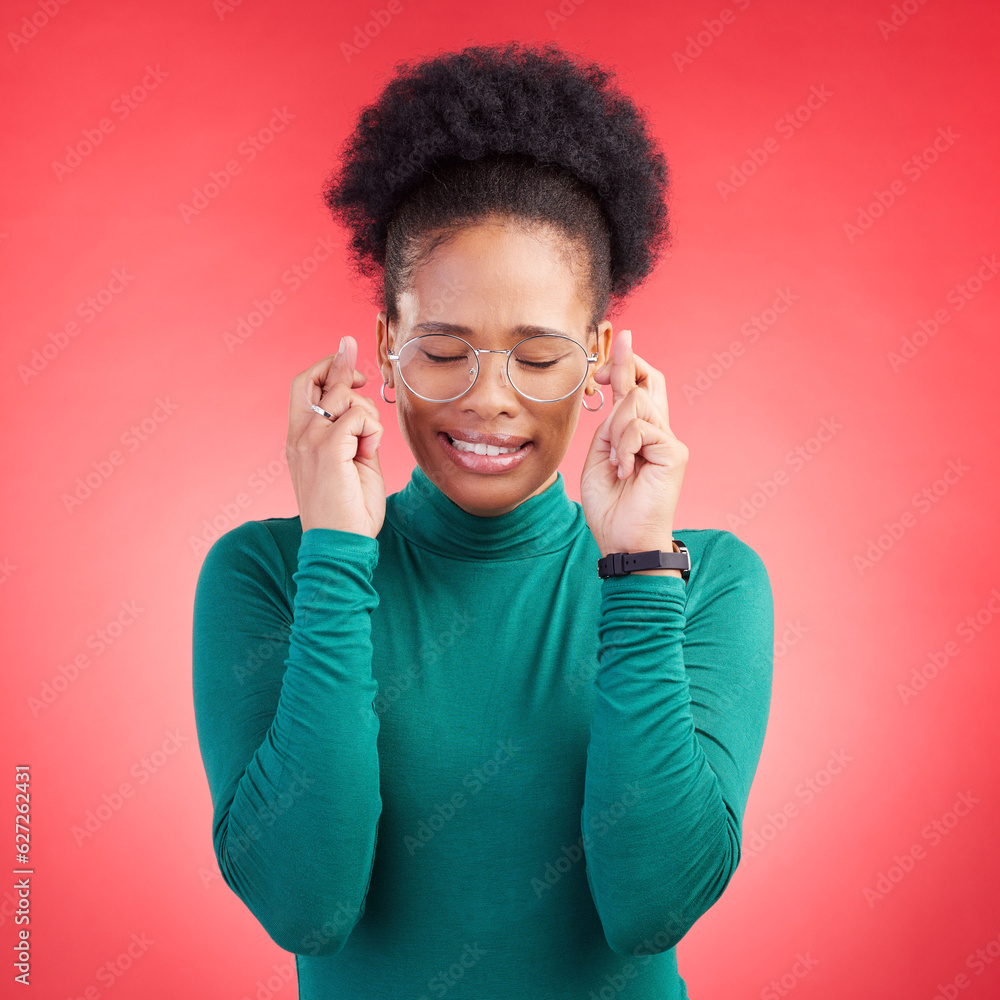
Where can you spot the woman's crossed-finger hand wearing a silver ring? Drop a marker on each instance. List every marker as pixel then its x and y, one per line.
pixel 334 463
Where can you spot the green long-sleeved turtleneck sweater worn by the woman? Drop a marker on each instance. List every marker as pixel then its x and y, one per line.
pixel 451 761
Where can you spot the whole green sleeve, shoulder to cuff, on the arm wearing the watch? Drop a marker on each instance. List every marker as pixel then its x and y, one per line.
pixel 682 695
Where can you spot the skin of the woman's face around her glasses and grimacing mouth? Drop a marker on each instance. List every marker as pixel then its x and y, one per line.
pixel 492 278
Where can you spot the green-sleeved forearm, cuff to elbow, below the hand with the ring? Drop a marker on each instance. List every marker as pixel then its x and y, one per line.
pixel 297 840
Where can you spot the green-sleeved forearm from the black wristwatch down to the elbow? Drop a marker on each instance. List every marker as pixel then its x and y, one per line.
pixel 660 842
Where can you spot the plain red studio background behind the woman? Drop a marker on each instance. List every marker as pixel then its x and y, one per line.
pixel 847 634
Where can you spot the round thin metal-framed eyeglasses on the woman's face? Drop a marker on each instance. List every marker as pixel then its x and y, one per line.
pixel 440 367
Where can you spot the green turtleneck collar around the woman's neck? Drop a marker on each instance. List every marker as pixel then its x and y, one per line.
pixel 428 517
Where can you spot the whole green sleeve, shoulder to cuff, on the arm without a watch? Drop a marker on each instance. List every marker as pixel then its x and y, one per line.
pixel 283 693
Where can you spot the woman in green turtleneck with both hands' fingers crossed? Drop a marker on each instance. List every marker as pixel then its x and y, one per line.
pixel 446 756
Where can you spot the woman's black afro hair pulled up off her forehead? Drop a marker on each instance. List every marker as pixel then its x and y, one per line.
pixel 511 131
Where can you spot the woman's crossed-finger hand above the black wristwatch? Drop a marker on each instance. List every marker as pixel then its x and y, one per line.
pixel 635 511
